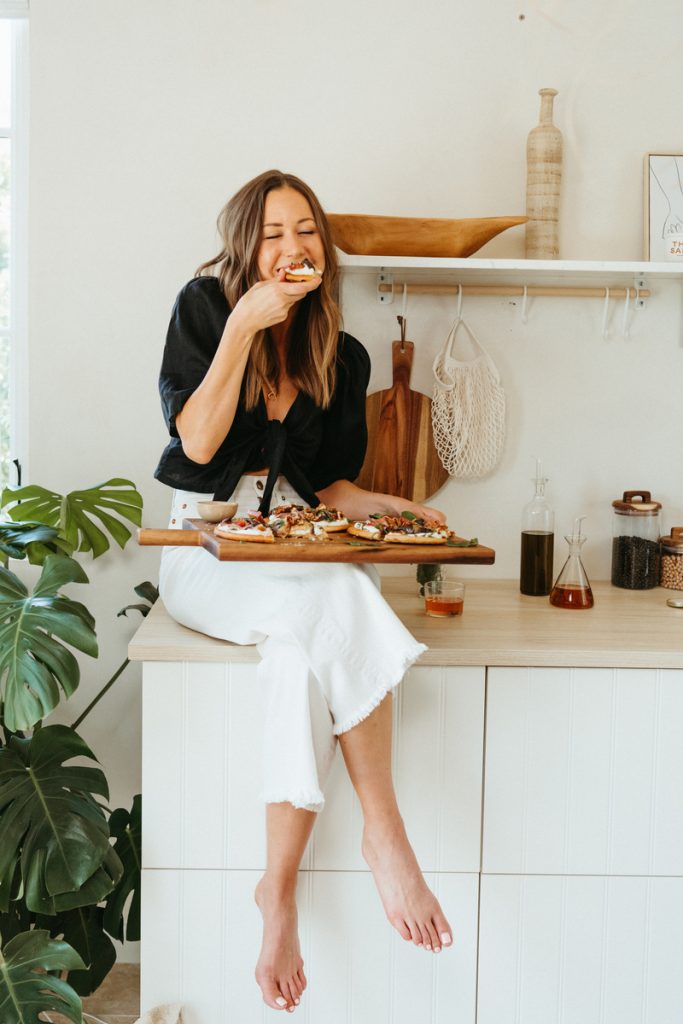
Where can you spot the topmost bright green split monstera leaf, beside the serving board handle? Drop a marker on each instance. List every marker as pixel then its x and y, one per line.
pixel 74 515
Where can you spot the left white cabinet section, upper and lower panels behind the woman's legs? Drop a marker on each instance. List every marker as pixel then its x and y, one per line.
pixel 204 852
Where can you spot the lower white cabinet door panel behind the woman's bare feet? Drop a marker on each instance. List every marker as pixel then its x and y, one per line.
pixel 202 934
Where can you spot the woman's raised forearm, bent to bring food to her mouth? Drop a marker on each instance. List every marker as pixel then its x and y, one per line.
pixel 207 416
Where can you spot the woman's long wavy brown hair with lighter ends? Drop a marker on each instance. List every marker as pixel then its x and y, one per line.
pixel 312 356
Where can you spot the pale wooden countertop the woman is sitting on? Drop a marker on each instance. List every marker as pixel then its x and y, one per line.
pixel 499 627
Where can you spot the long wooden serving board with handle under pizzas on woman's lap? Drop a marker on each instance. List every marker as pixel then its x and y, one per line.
pixel 336 548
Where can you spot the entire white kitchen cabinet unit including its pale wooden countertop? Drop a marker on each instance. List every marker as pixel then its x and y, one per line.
pixel 545 805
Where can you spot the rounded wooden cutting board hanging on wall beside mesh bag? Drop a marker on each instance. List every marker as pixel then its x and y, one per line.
pixel 402 458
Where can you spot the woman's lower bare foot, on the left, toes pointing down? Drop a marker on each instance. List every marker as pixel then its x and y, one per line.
pixel 280 968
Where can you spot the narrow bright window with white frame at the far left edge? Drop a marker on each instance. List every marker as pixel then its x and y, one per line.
pixel 18 331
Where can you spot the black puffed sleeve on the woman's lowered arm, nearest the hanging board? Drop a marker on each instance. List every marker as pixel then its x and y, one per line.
pixel 345 432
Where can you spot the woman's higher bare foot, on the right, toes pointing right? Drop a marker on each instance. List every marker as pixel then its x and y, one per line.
pixel 409 903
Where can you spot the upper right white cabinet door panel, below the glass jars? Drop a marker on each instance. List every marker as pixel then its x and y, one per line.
pixel 581 772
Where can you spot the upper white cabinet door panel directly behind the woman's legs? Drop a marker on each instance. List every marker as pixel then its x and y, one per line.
pixel 202 753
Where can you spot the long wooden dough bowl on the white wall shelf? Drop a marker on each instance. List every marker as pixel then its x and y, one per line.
pixel 359 235
